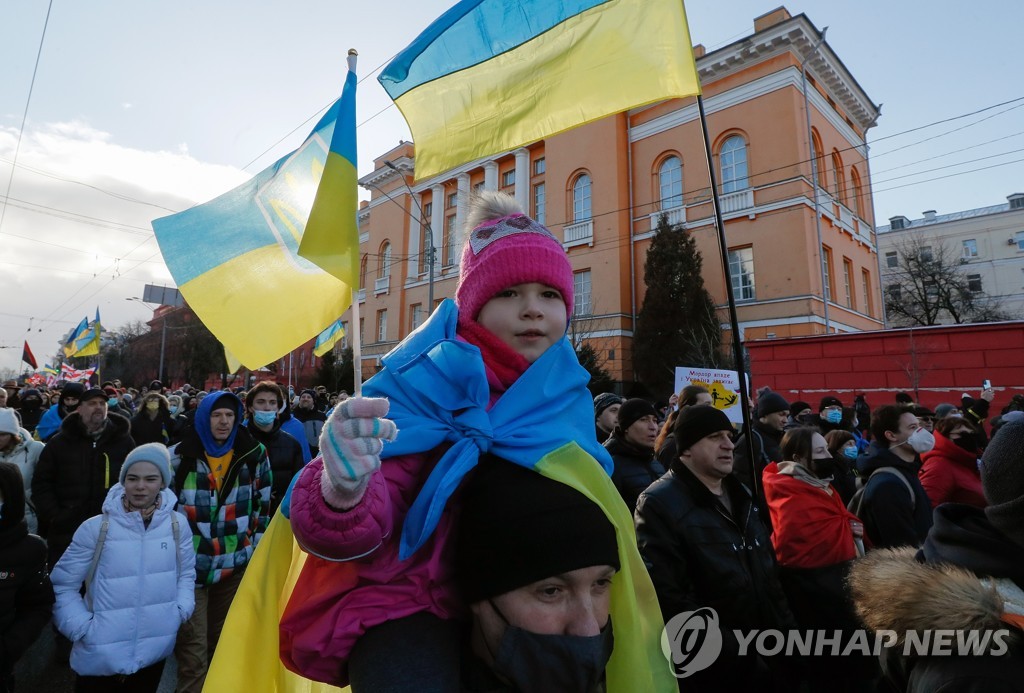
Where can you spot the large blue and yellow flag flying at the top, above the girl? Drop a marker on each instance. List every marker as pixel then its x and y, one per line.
pixel 493 75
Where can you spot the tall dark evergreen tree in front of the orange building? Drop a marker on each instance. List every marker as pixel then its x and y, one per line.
pixel 677 325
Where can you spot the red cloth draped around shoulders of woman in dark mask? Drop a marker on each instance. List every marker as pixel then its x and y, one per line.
pixel 812 528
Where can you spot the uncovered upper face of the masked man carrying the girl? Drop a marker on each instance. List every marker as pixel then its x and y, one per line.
pixel 573 604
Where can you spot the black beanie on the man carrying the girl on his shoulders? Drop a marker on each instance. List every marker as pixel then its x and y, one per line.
pixel 518 528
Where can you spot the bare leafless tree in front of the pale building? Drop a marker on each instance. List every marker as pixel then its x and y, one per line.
pixel 931 287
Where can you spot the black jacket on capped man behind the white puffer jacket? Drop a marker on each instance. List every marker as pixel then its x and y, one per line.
pixel 73 477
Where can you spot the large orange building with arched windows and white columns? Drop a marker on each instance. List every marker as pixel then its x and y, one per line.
pixel 603 187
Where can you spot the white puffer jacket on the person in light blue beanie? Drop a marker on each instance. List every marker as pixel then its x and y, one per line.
pixel 141 592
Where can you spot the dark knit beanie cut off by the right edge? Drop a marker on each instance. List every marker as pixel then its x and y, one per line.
pixel 1003 481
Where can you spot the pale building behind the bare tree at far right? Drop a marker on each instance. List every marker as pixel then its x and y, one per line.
pixel 989 243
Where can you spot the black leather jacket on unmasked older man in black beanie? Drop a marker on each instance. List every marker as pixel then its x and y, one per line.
pixel 700 555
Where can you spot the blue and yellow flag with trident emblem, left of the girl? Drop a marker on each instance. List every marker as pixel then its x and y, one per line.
pixel 236 259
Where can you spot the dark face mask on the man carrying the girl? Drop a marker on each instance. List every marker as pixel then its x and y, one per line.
pixel 537 663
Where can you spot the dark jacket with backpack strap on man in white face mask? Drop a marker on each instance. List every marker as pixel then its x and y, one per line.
pixel 891 519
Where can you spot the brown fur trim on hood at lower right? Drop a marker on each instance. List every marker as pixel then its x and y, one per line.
pixel 893 591
